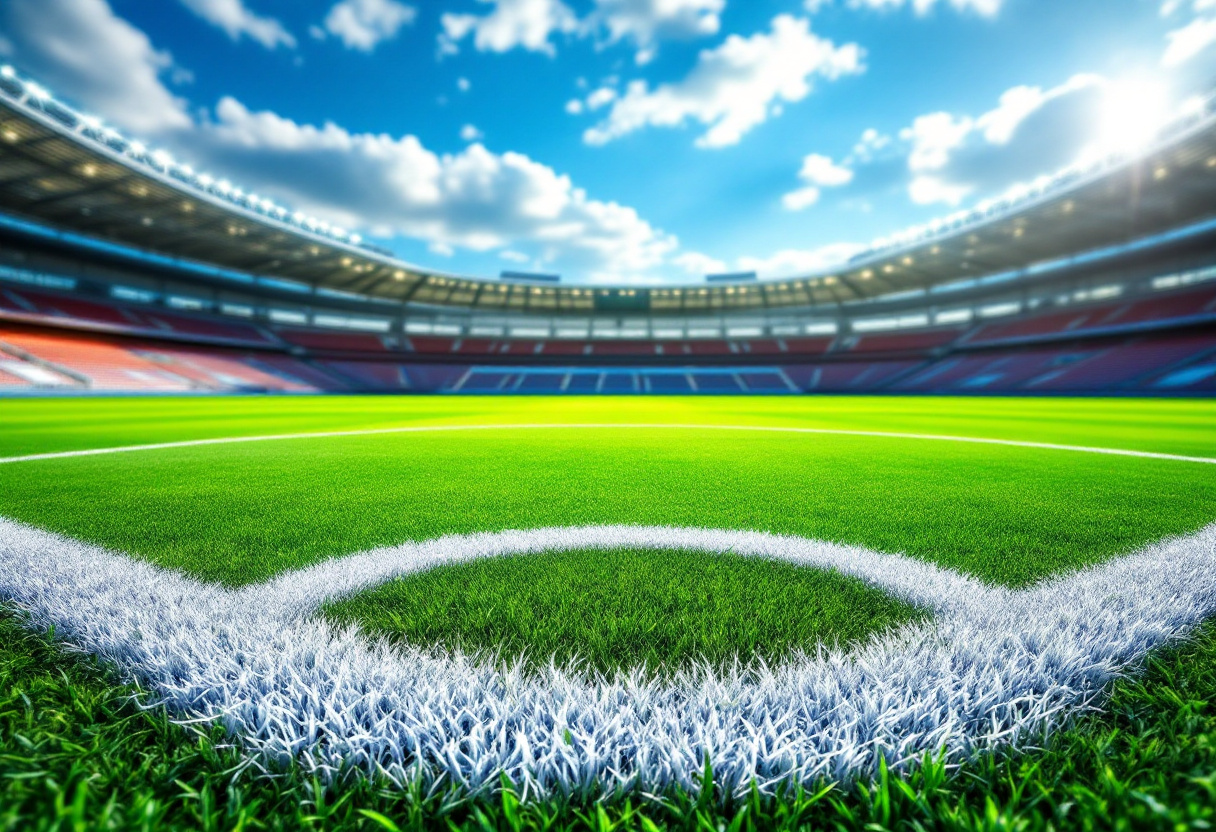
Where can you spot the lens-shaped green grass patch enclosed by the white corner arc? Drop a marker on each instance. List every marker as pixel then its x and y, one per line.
pixel 622 610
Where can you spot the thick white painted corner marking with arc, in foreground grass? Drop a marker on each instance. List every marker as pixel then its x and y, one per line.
pixel 994 667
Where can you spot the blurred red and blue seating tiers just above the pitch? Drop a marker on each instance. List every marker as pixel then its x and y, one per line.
pixel 1162 344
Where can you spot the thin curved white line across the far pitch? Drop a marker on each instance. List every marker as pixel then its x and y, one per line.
pixel 761 429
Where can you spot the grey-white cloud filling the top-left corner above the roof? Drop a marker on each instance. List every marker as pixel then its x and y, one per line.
pixel 65 42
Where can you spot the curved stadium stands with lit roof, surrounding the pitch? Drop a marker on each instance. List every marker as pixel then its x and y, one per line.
pixel 123 271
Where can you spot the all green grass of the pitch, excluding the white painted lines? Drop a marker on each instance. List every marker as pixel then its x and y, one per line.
pixel 77 754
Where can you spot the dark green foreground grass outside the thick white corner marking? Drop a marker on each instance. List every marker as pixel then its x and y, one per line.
pixel 77 755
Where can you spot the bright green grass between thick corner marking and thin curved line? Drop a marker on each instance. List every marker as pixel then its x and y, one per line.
pixel 240 514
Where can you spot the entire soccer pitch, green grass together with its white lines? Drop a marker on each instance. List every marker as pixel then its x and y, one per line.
pixel 612 597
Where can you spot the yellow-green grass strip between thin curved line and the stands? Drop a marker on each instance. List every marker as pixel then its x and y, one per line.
pixel 38 426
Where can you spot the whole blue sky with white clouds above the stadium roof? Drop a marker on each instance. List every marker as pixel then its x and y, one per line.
pixel 623 140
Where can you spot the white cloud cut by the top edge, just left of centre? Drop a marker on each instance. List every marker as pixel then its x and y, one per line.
pixel 511 25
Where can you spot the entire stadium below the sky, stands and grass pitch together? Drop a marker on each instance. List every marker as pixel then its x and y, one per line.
pixel 297 533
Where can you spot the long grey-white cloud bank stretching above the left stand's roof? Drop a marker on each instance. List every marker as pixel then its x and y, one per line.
pixel 387 185
